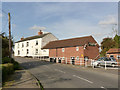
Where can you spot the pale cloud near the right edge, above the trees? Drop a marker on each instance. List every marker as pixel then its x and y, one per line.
pixel 109 20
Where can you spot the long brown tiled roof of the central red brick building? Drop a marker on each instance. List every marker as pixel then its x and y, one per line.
pixel 70 42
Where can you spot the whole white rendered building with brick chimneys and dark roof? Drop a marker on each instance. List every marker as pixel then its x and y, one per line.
pixel 31 46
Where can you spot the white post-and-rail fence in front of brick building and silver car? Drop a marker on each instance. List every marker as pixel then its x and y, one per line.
pixel 83 62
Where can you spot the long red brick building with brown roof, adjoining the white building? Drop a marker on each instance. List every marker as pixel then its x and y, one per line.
pixel 73 49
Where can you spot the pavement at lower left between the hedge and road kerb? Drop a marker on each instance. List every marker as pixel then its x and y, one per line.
pixel 21 79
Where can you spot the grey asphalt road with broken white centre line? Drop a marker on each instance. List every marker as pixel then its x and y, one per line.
pixel 53 75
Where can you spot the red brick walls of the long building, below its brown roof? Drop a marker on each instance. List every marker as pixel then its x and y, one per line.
pixel 90 51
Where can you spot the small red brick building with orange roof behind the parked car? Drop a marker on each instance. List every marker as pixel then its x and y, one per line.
pixel 114 52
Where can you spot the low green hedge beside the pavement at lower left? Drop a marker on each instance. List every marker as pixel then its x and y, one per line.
pixel 7 69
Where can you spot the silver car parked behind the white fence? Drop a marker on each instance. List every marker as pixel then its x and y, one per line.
pixel 104 60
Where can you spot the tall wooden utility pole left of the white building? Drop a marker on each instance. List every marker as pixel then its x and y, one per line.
pixel 10 46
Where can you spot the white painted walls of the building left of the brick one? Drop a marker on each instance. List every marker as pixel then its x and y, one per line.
pixel 32 46
